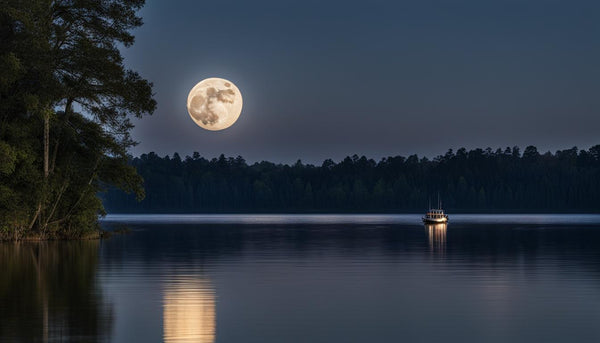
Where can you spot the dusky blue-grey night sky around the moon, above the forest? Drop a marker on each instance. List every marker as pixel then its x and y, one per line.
pixel 327 79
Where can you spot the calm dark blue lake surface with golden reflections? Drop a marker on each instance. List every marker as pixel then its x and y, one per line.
pixel 325 278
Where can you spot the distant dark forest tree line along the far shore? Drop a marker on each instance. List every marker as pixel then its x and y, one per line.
pixel 487 180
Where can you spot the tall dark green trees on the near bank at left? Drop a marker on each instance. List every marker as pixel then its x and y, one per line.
pixel 66 100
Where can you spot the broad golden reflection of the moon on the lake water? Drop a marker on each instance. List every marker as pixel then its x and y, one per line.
pixel 189 311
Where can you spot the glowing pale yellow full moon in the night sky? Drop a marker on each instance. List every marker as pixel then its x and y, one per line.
pixel 214 104
